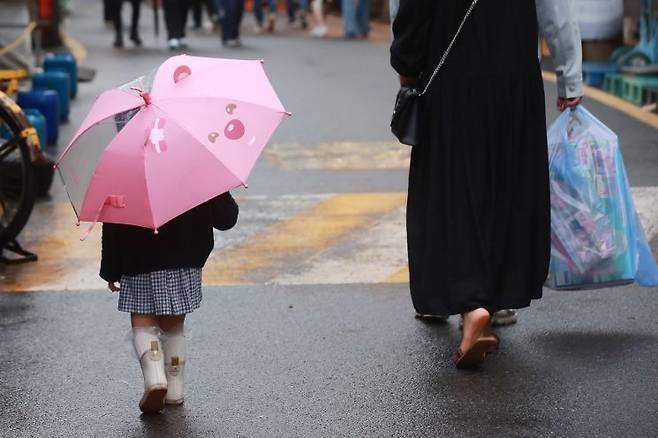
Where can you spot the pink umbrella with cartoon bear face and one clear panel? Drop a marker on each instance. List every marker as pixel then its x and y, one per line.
pixel 161 145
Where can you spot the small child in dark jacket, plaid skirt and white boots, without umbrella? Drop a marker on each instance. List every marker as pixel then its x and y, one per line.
pixel 160 282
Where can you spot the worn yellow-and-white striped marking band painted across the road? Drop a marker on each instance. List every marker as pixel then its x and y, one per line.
pixel 290 239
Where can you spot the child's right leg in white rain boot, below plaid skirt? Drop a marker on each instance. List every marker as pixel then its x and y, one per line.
pixel 173 328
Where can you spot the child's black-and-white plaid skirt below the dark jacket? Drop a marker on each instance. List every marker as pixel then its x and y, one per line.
pixel 169 292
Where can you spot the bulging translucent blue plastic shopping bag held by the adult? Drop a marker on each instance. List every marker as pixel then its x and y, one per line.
pixel 597 239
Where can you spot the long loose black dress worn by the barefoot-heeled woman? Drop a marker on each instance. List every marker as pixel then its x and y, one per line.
pixel 478 213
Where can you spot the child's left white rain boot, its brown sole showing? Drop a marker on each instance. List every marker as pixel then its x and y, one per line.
pixel 151 358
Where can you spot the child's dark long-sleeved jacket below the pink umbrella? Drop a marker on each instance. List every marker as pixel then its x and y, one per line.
pixel 184 242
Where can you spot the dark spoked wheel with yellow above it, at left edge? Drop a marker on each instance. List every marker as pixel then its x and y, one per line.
pixel 16 171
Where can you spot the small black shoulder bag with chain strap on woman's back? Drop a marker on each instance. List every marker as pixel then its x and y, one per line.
pixel 407 117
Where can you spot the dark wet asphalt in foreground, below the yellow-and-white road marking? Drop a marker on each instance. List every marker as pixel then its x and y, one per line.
pixel 334 361
